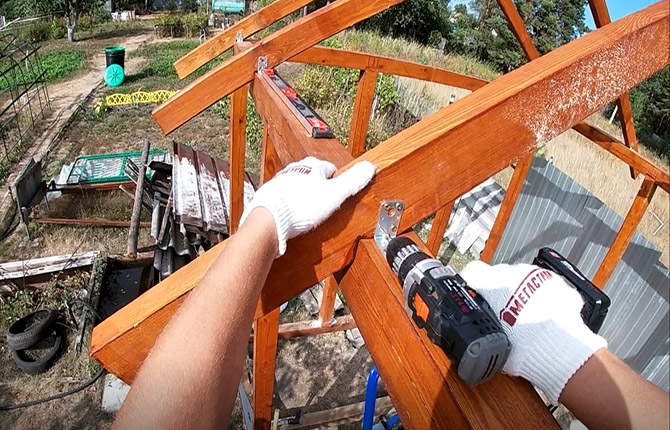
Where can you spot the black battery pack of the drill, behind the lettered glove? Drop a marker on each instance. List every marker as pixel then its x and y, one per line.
pixel 596 302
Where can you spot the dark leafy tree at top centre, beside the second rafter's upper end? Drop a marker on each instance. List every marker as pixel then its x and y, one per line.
pixel 412 19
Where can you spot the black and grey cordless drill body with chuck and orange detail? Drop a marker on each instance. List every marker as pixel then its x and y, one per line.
pixel 456 318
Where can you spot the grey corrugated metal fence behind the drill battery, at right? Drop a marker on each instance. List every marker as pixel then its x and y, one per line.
pixel 553 210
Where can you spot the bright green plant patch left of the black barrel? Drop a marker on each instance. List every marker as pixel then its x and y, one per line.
pixel 58 66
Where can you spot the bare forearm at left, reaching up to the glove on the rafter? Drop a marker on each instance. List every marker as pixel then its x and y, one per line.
pixel 185 382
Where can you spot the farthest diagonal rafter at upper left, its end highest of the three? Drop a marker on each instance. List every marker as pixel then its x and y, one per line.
pixel 248 26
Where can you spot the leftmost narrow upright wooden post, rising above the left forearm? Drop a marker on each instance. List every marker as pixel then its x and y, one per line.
pixel 238 129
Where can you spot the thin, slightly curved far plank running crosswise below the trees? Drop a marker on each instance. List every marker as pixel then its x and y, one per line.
pixel 375 63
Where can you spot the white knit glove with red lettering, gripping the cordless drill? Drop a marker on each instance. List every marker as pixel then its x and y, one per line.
pixel 540 314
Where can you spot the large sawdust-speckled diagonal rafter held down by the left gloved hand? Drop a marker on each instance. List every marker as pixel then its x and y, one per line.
pixel 501 122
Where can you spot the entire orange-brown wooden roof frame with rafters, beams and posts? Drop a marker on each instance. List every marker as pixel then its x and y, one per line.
pixel 428 166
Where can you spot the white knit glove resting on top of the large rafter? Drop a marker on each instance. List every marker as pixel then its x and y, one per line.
pixel 302 196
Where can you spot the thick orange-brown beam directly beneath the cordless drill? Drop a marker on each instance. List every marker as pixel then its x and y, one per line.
pixel 425 389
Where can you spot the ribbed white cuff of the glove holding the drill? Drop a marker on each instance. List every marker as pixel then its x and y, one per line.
pixel 556 355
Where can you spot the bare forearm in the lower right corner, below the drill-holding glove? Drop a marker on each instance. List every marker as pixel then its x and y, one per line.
pixel 607 394
